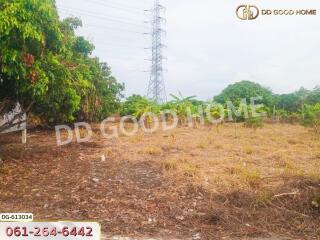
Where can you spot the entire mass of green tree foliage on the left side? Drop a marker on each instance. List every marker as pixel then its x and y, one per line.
pixel 43 62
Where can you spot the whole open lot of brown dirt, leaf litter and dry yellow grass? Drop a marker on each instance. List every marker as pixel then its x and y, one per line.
pixel 206 183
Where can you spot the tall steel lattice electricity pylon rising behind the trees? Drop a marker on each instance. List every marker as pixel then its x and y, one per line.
pixel 156 88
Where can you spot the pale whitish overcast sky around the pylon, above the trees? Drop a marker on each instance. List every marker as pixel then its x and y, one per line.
pixel 208 47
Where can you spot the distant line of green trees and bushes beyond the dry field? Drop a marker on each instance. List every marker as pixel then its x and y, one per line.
pixel 302 106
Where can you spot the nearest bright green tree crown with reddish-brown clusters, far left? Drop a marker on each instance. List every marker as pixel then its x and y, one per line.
pixel 29 39
